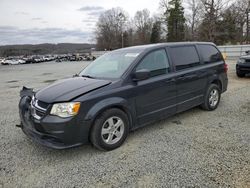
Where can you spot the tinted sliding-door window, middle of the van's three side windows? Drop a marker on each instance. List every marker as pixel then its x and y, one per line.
pixel 184 57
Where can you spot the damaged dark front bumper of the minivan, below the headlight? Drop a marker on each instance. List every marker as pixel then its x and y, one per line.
pixel 52 131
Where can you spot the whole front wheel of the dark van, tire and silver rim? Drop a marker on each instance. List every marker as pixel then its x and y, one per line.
pixel 110 129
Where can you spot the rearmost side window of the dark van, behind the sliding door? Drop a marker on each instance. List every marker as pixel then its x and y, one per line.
pixel 210 54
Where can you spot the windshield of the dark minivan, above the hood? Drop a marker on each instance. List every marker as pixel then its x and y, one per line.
pixel 110 65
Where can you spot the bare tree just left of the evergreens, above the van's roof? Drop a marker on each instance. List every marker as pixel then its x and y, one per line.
pixel 143 24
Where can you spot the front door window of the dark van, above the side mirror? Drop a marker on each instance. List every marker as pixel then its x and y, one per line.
pixel 156 62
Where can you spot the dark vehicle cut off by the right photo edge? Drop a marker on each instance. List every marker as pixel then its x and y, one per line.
pixel 243 65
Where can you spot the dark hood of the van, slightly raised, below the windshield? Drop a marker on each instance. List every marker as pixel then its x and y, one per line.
pixel 66 90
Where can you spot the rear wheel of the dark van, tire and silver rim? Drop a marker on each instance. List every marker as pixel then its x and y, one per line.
pixel 212 98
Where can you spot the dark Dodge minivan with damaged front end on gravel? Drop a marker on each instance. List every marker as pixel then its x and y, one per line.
pixel 122 91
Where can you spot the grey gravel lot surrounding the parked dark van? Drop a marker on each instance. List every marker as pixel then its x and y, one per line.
pixel 192 149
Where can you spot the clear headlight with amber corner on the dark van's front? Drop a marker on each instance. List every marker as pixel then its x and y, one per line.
pixel 65 109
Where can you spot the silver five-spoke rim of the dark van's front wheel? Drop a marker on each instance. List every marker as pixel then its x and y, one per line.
pixel 112 130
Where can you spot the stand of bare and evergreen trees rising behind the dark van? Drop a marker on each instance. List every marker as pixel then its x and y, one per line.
pixel 219 21
